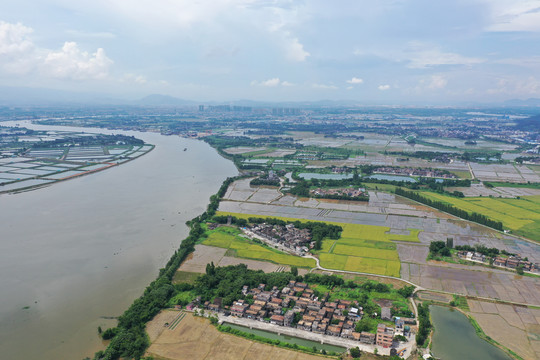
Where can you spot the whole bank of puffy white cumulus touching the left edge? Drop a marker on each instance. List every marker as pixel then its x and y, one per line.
pixel 19 55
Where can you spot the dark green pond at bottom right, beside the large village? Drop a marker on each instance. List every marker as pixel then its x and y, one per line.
pixel 454 338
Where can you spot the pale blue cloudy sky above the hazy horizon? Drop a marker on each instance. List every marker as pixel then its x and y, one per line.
pixel 369 51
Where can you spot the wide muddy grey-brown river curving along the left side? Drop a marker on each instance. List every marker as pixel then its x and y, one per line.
pixel 80 251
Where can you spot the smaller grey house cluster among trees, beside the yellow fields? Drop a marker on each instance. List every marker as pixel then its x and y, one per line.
pixel 288 236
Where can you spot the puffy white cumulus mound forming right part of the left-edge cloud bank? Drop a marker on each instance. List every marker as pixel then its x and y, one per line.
pixel 72 63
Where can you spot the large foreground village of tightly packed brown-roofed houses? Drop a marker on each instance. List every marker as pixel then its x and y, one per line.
pixel 297 307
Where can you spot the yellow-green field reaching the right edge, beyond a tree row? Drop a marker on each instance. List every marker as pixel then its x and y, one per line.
pixel 522 216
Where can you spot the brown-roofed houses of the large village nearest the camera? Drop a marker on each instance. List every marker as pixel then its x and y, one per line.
pixel 297 306
